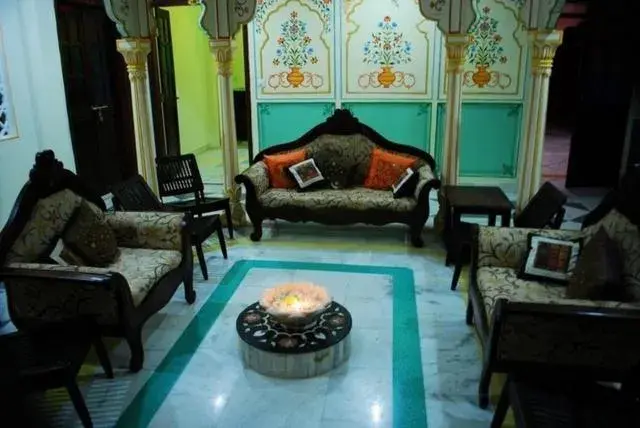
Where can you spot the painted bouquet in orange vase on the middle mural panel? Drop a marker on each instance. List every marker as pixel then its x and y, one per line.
pixel 386 49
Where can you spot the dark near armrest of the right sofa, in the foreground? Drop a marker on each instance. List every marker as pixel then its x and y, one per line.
pixel 594 339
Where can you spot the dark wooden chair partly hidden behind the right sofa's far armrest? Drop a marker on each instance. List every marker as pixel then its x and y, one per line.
pixel 545 209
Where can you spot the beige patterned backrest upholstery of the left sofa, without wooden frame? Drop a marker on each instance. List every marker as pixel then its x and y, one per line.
pixel 47 222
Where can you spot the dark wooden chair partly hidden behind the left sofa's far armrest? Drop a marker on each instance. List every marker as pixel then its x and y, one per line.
pixel 134 194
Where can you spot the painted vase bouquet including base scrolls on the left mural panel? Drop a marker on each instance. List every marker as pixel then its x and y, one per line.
pixel 294 50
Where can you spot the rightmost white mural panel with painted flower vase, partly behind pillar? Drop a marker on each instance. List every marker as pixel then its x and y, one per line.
pixel 495 61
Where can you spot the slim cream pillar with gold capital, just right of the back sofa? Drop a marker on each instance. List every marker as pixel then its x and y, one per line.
pixel 456 45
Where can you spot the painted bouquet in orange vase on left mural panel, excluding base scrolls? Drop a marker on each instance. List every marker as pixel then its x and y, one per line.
pixel 294 48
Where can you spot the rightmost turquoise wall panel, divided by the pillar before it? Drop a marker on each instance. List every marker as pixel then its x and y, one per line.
pixel 489 139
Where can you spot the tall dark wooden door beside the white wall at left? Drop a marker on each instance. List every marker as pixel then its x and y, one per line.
pixel 87 45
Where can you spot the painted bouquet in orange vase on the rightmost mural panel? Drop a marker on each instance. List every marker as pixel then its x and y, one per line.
pixel 485 47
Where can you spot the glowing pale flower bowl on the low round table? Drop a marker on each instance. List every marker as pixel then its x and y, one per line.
pixel 297 305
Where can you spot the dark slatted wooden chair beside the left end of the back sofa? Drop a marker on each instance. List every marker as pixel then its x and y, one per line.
pixel 179 176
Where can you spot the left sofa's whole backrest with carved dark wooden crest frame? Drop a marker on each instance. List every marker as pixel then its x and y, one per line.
pixel 43 207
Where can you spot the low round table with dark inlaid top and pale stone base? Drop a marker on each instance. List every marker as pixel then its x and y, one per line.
pixel 271 349
